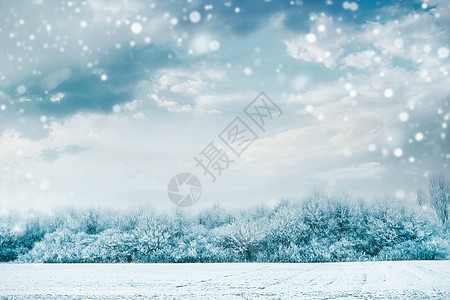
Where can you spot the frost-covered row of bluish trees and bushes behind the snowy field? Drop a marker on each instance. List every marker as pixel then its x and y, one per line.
pixel 321 227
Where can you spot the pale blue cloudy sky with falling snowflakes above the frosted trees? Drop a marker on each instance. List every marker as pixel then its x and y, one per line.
pixel 103 102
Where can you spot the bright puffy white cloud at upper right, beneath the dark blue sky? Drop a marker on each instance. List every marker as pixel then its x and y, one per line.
pixel 415 37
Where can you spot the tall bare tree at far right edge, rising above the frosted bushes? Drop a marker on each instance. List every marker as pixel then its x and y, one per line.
pixel 439 191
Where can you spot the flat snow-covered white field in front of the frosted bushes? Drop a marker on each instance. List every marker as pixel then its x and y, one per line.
pixel 364 280
